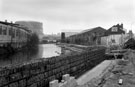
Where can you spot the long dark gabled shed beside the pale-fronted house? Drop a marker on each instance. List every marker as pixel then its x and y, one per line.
pixel 88 37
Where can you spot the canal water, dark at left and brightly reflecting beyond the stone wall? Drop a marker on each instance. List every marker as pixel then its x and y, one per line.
pixel 42 51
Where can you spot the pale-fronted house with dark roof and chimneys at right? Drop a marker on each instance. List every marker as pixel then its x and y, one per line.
pixel 114 36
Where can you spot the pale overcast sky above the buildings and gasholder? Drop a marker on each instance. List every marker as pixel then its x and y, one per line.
pixel 76 15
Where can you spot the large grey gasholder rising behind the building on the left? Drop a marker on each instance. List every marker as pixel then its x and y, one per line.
pixel 36 27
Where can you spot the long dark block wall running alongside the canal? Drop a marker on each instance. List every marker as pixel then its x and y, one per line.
pixel 39 73
